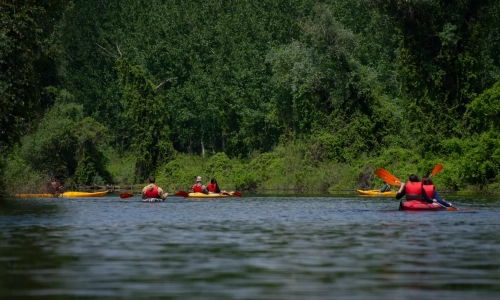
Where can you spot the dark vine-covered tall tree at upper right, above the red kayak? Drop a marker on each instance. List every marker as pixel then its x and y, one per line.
pixel 442 61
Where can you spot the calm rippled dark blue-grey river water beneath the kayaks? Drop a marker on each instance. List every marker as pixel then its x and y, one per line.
pixel 255 247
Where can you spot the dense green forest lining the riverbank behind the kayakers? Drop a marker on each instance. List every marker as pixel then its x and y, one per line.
pixel 263 95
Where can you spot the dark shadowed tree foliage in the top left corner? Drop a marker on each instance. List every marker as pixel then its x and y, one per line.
pixel 27 63
